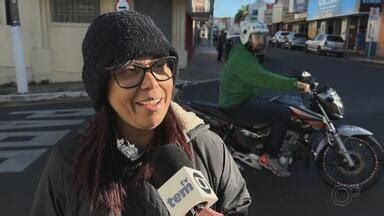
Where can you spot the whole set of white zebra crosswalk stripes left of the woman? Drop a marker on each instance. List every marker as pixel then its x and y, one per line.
pixel 17 160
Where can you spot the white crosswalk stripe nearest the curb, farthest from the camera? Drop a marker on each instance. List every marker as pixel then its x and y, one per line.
pixel 56 113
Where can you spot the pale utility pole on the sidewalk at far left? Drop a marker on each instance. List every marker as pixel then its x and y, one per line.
pixel 13 20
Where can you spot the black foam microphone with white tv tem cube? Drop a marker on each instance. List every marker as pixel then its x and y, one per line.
pixel 183 189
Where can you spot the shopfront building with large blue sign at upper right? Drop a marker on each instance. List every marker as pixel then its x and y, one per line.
pixel 345 18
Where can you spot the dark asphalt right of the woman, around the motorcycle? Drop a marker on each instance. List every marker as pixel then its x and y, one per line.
pixel 304 193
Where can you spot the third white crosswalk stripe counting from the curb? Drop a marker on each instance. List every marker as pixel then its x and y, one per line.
pixel 31 138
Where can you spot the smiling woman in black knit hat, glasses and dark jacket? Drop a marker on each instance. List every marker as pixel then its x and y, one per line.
pixel 107 169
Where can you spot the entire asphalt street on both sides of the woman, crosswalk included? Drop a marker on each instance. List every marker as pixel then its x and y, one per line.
pixel 28 131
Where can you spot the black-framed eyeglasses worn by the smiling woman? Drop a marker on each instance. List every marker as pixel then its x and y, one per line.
pixel 132 75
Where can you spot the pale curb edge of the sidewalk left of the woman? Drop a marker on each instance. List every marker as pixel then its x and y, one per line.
pixel 41 96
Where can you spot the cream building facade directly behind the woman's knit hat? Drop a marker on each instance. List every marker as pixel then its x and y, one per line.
pixel 53 30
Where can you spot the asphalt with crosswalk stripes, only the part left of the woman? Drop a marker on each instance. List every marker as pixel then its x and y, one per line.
pixel 27 133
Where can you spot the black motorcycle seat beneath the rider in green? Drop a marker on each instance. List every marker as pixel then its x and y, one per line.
pixel 215 110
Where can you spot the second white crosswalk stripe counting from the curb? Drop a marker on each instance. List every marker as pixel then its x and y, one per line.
pixel 8 125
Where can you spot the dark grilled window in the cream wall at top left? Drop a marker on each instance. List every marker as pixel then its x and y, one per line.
pixel 74 11
